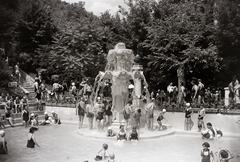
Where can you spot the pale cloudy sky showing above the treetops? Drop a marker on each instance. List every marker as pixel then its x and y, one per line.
pixel 100 6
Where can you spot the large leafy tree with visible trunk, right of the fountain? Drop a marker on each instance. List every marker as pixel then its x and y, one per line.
pixel 180 39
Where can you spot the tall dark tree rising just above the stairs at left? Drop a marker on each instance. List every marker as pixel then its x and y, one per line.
pixel 35 29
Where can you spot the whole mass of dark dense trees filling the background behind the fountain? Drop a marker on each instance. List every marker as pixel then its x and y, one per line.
pixel 202 37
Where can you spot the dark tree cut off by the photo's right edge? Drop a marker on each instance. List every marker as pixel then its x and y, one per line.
pixel 227 21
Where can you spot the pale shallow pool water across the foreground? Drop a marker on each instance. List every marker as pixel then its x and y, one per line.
pixel 61 143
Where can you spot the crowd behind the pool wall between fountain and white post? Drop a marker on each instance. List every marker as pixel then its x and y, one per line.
pixel 197 95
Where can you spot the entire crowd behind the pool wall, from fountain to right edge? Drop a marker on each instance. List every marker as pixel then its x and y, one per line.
pixel 197 95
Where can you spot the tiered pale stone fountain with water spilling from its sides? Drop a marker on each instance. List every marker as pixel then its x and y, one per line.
pixel 122 80
